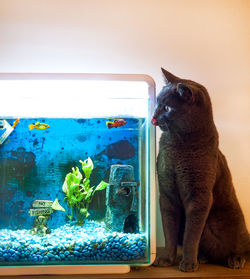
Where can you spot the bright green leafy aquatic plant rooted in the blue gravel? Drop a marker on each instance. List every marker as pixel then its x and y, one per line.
pixel 79 193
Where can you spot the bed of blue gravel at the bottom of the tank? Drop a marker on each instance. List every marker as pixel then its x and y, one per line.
pixel 69 243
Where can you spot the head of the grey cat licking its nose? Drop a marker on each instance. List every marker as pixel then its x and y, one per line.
pixel 181 104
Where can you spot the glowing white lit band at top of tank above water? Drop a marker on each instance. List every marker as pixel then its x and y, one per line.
pixel 78 98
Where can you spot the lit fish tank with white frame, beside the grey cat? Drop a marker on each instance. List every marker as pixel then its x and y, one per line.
pixel 77 173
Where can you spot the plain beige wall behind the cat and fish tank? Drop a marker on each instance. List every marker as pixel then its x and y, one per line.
pixel 204 40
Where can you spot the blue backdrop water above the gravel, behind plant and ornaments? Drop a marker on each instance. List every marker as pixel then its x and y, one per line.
pixel 34 163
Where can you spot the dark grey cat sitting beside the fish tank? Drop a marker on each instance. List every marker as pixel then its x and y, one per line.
pixel 198 203
